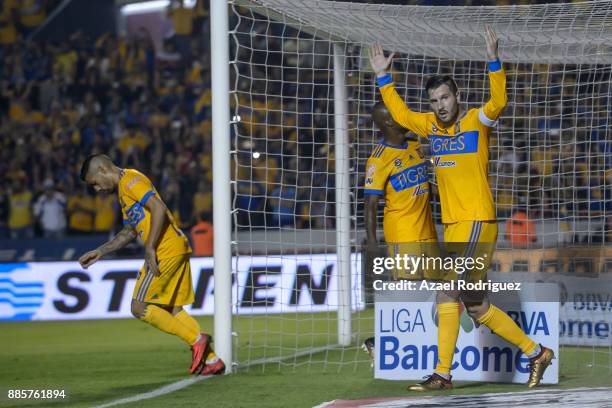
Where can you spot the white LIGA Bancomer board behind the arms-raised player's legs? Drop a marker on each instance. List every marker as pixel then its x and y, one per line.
pixel 406 343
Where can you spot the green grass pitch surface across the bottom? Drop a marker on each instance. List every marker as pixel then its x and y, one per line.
pixel 103 360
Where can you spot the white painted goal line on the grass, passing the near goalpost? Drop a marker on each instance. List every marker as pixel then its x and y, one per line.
pixel 179 385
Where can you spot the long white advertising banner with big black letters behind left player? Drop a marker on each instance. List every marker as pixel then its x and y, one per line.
pixel 273 284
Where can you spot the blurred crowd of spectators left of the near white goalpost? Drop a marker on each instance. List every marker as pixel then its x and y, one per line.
pixel 147 108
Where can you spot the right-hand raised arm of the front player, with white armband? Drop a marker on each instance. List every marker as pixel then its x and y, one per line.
pixel 492 110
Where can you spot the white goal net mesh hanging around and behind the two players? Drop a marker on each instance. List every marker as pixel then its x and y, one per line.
pixel 551 154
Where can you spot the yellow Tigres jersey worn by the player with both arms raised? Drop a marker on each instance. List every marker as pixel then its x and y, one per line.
pixel 460 153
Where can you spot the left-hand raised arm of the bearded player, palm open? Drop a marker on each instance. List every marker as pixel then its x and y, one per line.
pixel 401 113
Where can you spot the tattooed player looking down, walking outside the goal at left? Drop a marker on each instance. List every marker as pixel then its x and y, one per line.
pixel 164 283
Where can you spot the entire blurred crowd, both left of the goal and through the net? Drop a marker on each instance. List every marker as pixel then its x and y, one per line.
pixel 149 108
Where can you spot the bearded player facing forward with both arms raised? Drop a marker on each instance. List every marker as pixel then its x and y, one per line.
pixel 460 152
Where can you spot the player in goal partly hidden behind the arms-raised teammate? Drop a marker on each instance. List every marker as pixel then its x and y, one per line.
pixel 397 171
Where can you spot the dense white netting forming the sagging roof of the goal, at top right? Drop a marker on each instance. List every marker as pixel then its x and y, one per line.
pixel 530 33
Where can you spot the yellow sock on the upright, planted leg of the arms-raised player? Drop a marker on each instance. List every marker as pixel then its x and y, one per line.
pixel 448 331
